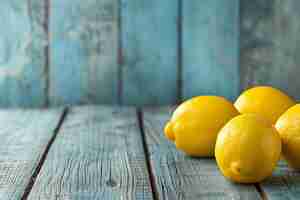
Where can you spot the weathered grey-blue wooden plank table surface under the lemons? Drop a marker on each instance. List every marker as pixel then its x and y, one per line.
pixel 101 152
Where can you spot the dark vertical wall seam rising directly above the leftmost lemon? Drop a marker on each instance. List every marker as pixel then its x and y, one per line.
pixel 179 51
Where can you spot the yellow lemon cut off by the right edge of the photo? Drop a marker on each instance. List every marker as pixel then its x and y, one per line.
pixel 288 126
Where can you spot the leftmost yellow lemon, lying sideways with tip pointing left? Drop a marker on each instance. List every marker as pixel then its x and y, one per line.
pixel 195 124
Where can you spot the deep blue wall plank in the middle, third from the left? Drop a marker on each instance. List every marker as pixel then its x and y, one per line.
pixel 149 51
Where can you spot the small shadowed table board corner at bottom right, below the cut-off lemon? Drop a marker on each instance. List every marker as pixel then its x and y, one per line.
pixel 284 184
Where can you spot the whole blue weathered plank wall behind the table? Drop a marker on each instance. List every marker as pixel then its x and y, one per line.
pixel 141 52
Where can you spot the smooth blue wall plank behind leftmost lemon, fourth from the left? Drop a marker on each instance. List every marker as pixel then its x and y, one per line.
pixel 210 42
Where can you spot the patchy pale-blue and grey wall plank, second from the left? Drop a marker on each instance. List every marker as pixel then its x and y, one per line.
pixel 83 51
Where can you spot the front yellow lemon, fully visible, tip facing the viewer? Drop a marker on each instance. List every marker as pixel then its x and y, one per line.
pixel 248 148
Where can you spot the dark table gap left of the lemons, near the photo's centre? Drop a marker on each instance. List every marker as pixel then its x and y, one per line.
pixel 146 152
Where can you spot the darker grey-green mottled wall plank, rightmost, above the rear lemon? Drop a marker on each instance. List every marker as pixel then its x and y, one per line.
pixel 270 44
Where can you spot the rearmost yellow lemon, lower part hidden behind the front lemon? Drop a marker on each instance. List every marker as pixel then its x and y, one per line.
pixel 264 100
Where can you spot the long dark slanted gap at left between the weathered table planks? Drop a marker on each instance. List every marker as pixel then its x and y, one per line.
pixel 44 156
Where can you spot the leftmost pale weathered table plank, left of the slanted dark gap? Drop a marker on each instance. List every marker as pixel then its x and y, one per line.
pixel 24 136
